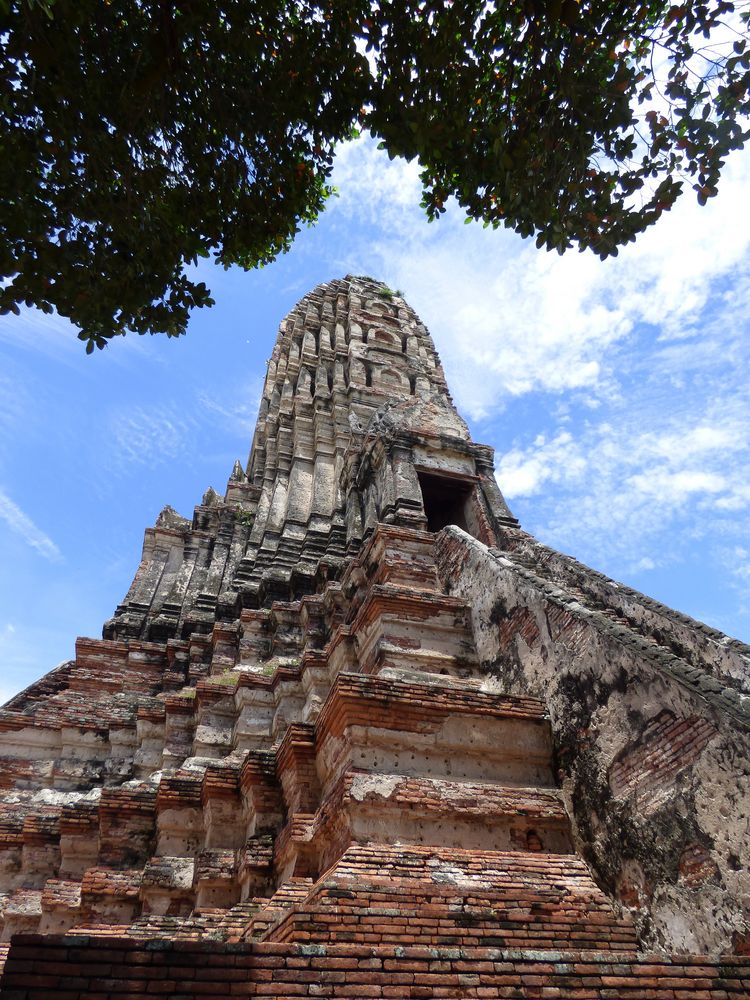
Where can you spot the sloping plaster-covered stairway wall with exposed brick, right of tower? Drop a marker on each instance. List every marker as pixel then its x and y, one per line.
pixel 653 748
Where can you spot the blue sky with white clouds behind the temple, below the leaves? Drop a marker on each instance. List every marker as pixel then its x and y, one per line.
pixel 615 394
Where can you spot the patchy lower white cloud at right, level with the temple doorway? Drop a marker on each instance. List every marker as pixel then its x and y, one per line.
pixel 619 485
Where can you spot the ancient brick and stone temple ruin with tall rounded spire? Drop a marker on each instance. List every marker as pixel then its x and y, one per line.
pixel 354 733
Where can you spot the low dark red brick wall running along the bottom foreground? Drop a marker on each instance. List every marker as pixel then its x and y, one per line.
pixel 83 968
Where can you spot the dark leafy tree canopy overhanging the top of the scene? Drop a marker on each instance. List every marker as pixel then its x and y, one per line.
pixel 138 136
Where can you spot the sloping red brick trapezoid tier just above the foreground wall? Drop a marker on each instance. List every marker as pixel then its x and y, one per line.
pixel 453 898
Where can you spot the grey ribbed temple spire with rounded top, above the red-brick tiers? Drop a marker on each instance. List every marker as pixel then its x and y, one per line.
pixel 352 365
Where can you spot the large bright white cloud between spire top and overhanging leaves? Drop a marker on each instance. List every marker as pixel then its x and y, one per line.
pixel 510 320
